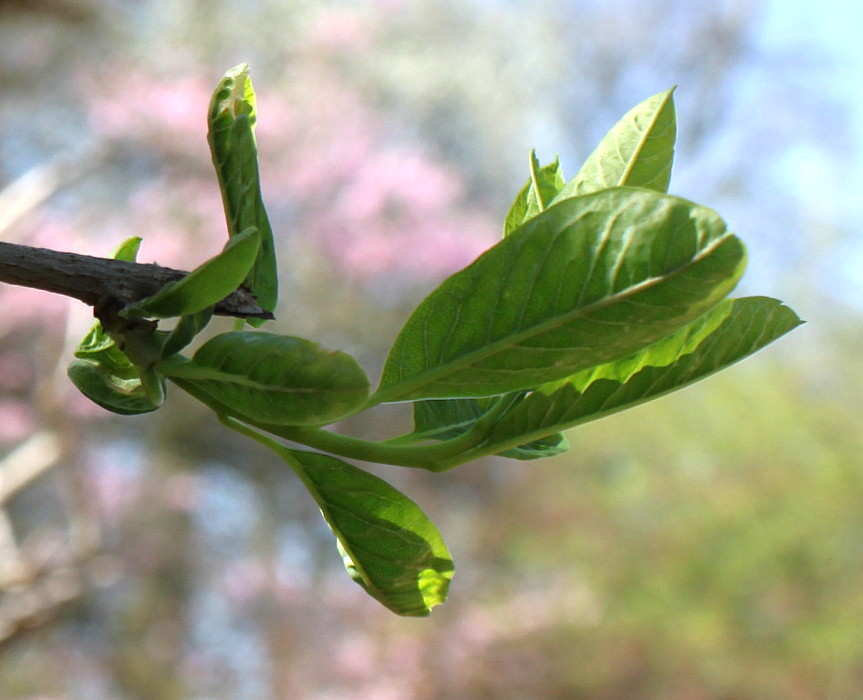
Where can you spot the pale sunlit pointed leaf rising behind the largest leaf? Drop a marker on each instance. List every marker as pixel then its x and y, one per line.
pixel 637 152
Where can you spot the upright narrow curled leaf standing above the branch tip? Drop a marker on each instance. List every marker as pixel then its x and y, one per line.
pixel 231 120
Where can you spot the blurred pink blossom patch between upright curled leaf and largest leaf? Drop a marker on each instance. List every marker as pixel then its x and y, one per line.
pixel 376 207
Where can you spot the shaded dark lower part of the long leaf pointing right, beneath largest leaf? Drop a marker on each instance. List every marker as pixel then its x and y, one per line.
pixel 747 325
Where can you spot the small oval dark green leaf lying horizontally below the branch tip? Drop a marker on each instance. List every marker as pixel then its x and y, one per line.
pixel 274 379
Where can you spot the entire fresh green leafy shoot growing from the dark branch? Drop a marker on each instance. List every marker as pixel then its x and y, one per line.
pixel 605 292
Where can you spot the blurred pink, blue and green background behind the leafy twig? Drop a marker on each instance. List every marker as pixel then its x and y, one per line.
pixel 708 546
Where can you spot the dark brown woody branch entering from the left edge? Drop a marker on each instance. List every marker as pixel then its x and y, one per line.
pixel 103 282
